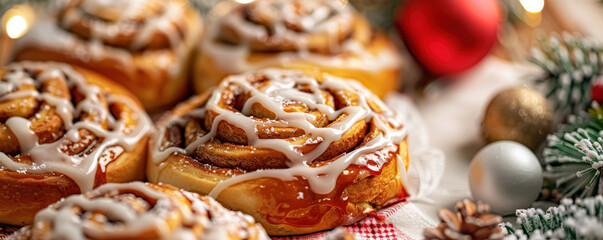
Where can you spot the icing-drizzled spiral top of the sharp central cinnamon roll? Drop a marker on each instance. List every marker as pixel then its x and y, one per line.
pixel 287 121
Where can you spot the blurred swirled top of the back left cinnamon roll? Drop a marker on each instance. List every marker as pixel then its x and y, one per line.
pixel 134 25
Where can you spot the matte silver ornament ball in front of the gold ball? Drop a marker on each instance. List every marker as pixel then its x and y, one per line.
pixel 507 175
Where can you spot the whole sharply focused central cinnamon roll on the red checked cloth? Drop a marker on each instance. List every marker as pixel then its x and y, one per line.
pixel 301 153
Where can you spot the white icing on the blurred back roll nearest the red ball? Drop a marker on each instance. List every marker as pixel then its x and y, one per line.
pixel 234 58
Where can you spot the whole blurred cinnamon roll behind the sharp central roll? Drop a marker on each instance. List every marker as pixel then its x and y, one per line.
pixel 298 34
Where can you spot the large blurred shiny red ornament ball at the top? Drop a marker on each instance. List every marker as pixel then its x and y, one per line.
pixel 448 36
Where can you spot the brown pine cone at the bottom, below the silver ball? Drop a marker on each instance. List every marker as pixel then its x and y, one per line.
pixel 472 221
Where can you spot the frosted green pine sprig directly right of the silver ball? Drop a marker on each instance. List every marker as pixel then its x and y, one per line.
pixel 574 156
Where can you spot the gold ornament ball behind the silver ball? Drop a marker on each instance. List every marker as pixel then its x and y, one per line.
pixel 519 114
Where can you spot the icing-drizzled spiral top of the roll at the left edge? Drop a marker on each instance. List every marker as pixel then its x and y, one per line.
pixel 53 120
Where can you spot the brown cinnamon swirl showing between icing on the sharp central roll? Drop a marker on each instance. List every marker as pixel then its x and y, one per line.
pixel 229 148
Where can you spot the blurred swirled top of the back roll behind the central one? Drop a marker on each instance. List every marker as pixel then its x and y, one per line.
pixel 284 25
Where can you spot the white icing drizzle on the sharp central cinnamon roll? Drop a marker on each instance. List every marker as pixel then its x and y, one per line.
pixel 321 179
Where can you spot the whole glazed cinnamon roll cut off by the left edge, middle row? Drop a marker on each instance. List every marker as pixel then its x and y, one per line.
pixel 64 131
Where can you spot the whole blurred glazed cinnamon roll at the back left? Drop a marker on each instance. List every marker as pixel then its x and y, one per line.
pixel 145 46
